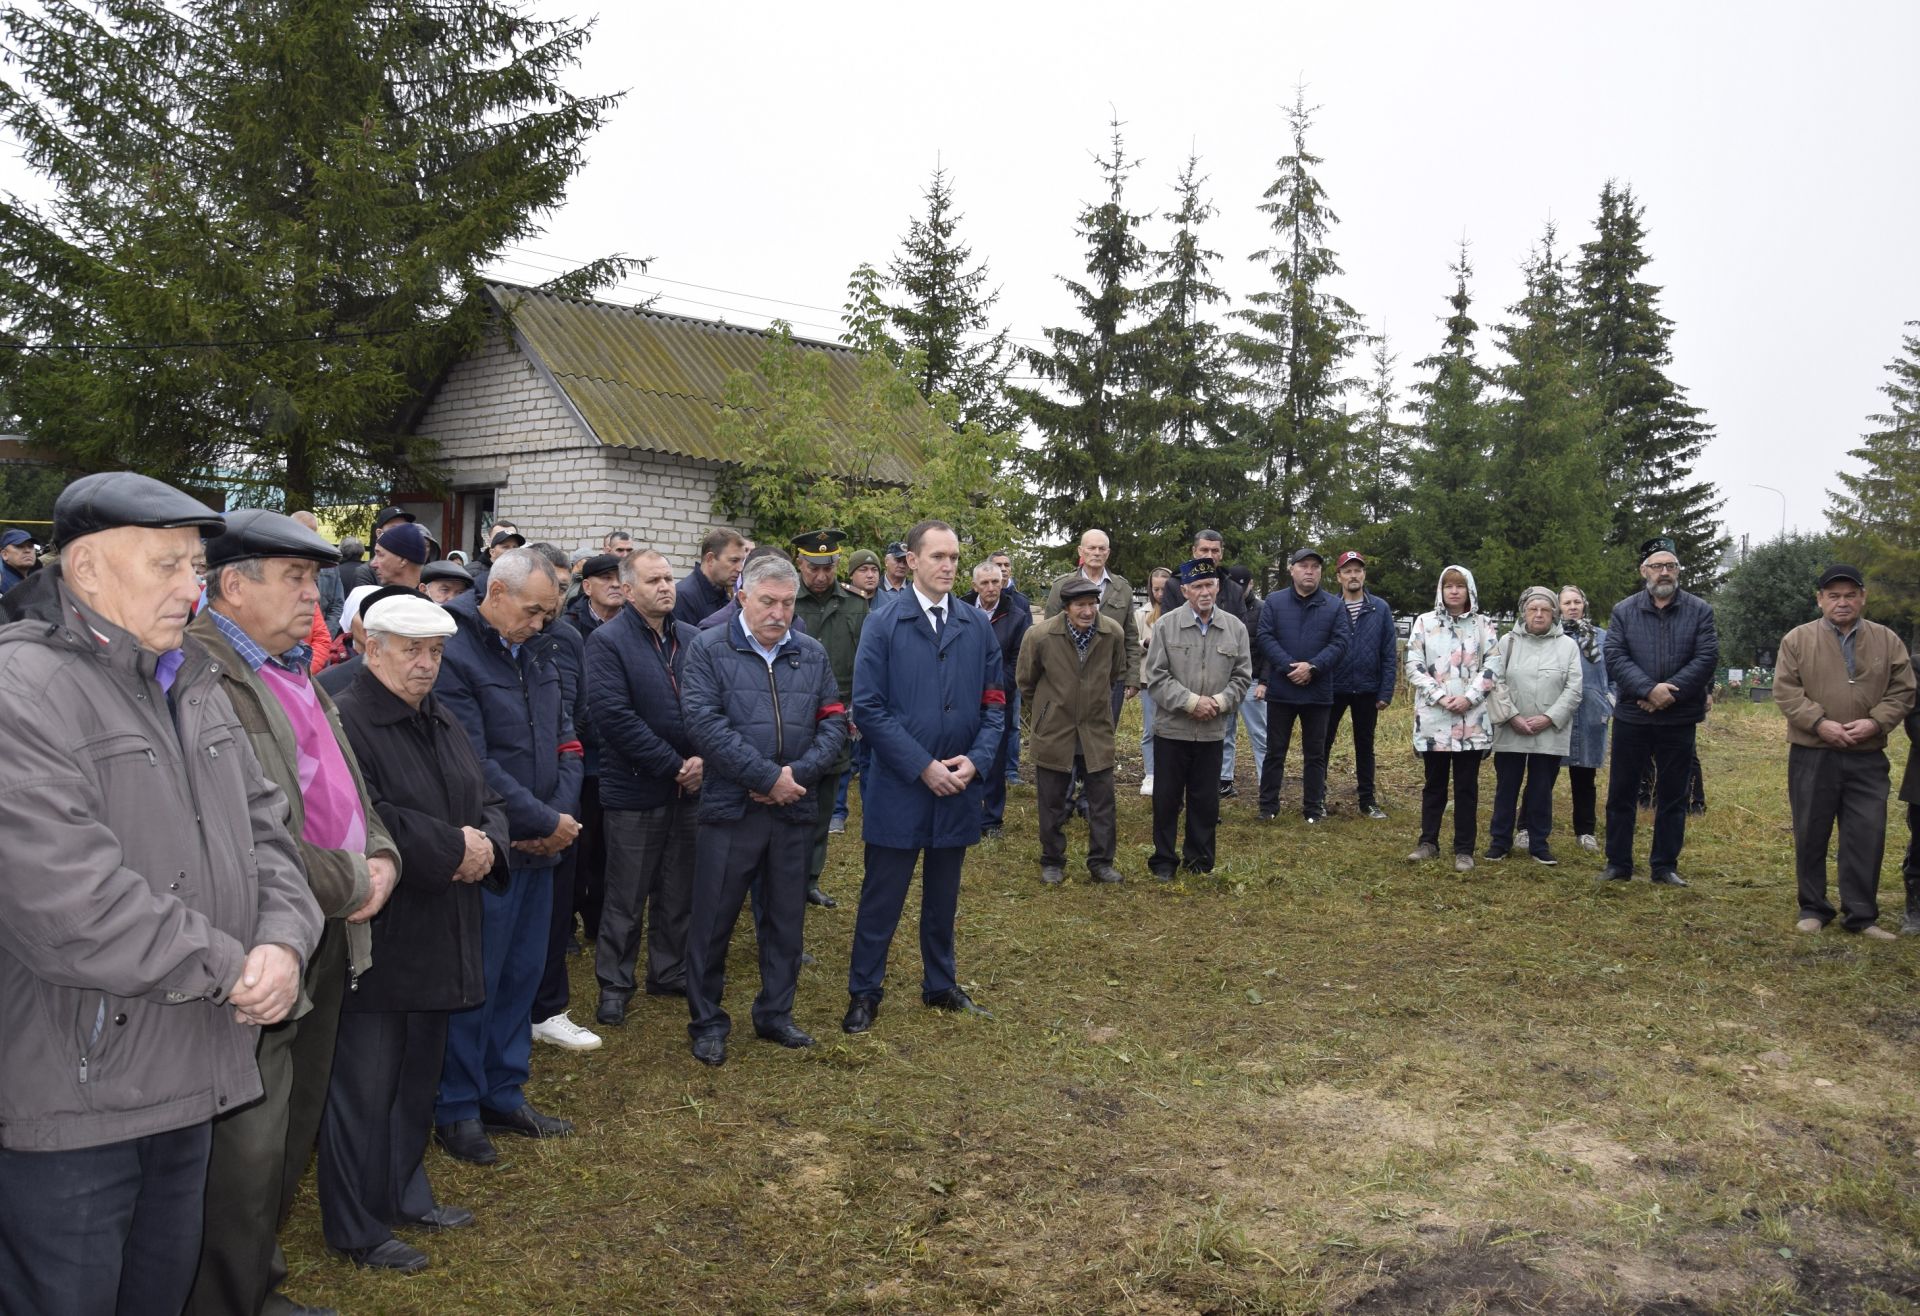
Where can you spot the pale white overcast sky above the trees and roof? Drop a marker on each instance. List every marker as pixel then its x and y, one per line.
pixel 765 151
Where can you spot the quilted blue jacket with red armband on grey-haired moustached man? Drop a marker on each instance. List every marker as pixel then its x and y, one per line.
pixel 750 719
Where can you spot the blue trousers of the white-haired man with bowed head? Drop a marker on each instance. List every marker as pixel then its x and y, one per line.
pixel 491 1046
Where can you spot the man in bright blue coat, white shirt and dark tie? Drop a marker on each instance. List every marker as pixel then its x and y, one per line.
pixel 930 702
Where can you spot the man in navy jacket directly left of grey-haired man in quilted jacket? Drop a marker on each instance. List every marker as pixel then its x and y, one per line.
pixel 650 789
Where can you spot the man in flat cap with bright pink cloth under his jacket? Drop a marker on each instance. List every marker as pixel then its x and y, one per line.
pixel 262 585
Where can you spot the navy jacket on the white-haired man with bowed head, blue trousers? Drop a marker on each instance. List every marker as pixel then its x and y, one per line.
pixel 516 714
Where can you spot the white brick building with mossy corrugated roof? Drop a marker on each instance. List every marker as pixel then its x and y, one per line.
pixel 587 418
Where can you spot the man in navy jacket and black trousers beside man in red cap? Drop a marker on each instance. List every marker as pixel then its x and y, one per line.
pixel 1303 637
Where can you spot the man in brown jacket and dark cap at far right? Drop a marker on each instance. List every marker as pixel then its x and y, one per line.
pixel 1844 685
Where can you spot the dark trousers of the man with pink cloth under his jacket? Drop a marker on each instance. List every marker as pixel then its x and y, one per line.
pixel 262 1152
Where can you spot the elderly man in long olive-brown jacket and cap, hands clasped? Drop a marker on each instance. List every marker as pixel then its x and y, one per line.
pixel 1068 668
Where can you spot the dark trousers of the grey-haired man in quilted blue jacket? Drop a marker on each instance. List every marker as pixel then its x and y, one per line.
pixel 769 854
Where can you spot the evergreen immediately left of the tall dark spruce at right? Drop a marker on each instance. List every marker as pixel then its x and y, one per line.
pixel 1550 520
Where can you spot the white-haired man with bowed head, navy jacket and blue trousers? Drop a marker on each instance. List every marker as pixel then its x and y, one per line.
pixel 502 683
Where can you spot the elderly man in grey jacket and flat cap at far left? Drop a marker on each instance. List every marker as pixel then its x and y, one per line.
pixel 153 908
